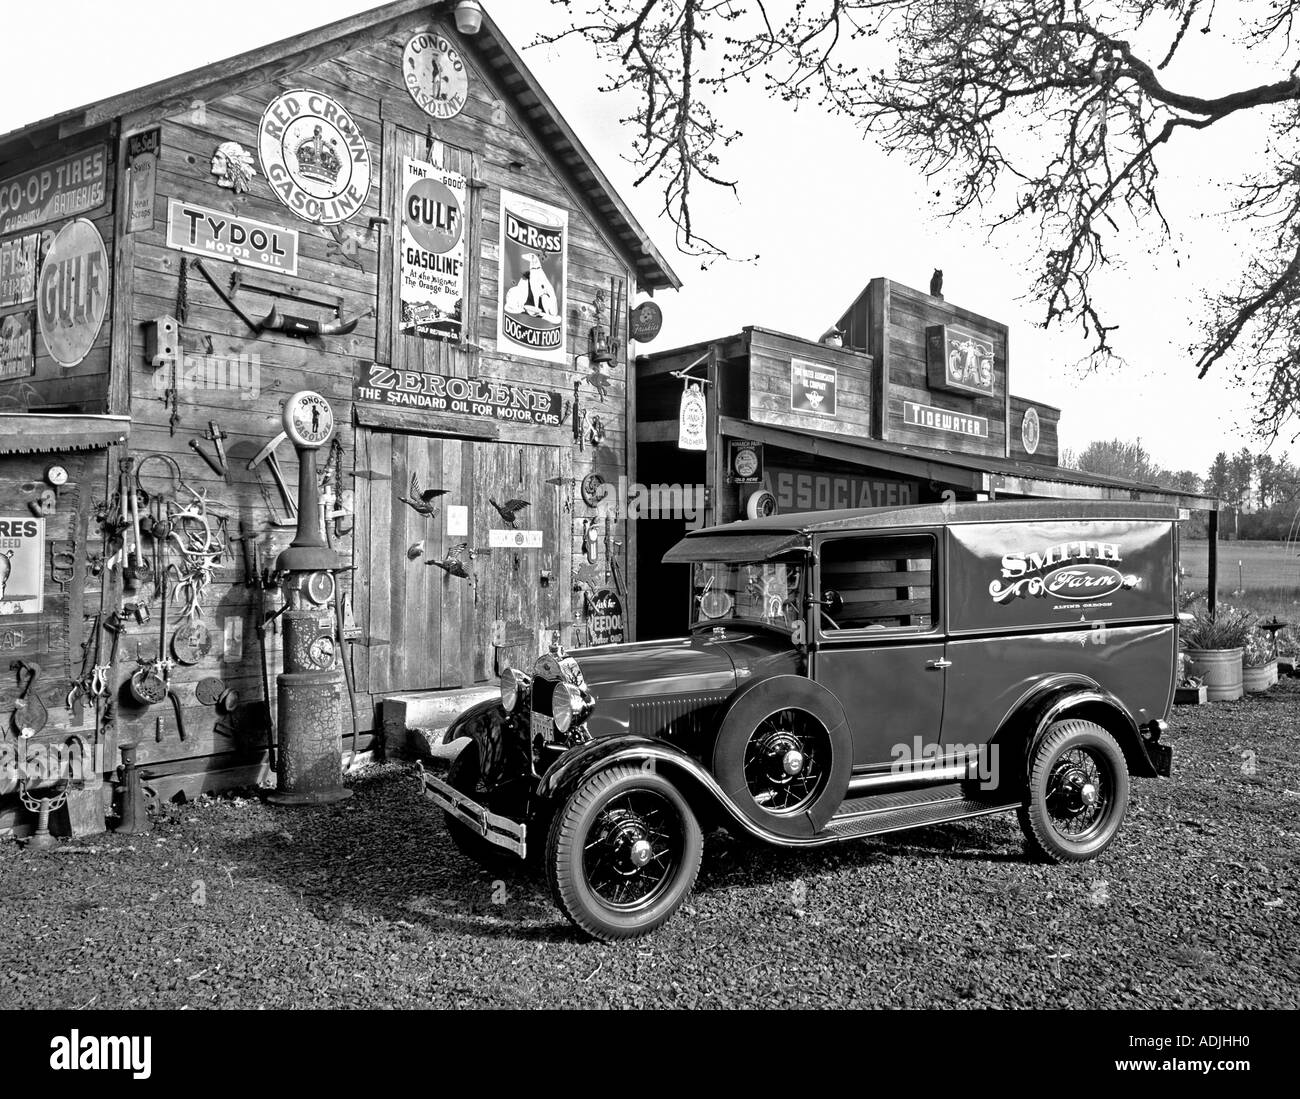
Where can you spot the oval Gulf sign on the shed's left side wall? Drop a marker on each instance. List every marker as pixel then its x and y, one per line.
pixel 72 298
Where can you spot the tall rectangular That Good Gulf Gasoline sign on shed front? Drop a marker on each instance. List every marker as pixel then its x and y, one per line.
pixel 434 250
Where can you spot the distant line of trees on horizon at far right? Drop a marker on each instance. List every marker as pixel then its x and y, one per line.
pixel 1260 492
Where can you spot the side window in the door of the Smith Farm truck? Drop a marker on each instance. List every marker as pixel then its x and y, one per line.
pixel 883 583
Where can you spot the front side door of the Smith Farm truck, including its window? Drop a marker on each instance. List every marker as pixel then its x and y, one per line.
pixel 881 648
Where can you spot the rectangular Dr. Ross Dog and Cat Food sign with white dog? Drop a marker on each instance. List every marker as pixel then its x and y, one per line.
pixel 534 267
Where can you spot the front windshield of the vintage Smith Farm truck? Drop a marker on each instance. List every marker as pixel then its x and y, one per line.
pixel 768 594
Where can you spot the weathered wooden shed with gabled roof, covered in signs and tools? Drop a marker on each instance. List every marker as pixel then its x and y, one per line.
pixel 385 211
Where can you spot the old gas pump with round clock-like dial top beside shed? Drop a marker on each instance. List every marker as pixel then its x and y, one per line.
pixel 311 687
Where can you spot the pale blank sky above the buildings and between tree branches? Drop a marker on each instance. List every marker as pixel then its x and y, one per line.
pixel 825 209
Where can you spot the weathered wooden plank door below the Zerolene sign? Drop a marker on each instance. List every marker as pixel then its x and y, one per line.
pixel 423 626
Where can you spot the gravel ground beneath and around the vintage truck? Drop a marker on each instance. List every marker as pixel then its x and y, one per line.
pixel 235 903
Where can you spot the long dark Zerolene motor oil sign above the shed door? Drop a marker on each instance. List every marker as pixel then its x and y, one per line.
pixel 488 399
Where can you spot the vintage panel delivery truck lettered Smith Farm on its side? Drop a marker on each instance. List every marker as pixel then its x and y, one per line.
pixel 847 674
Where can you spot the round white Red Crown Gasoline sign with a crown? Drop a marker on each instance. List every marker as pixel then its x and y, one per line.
pixel 314 157
